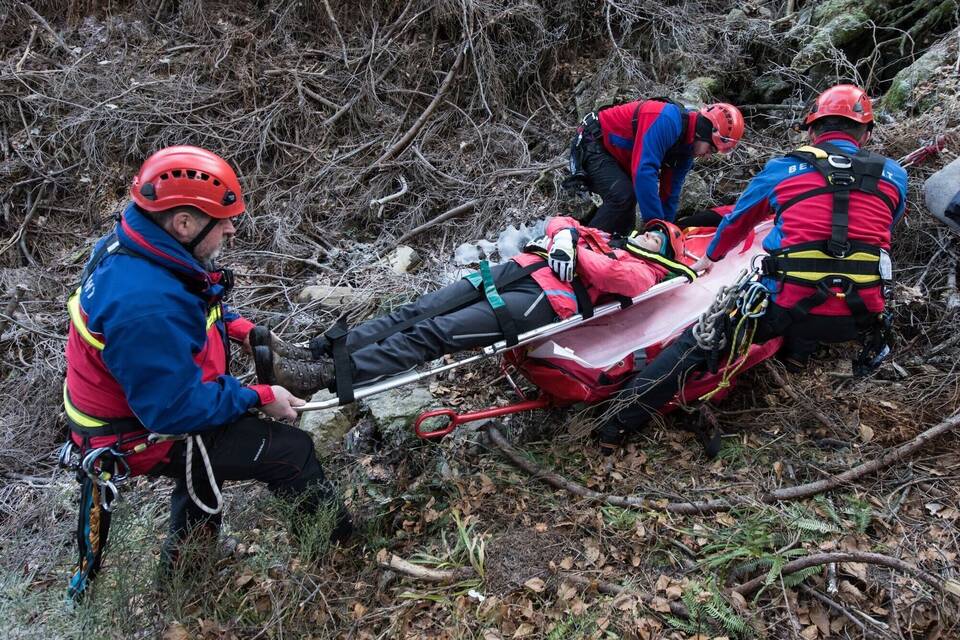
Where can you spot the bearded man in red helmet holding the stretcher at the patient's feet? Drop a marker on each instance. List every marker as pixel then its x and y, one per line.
pixel 148 350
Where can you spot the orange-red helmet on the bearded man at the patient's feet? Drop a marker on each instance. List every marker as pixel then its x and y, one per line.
pixel 188 176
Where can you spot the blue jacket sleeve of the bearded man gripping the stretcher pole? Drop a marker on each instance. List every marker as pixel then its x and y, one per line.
pixel 151 355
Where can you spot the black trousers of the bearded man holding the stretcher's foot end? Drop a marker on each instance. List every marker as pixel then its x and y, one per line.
pixel 251 448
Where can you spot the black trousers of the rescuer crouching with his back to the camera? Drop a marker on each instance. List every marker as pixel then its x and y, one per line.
pixel 654 386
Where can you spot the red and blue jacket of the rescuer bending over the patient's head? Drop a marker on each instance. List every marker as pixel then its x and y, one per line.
pixel 652 153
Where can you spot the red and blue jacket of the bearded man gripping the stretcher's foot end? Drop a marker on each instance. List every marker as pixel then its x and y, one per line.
pixel 148 339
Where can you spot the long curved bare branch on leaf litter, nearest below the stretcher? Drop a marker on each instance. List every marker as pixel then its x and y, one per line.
pixel 712 506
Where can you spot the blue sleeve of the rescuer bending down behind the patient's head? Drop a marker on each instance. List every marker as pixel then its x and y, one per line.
pixel 652 146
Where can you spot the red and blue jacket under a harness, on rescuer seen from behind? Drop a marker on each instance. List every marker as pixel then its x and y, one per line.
pixel 782 179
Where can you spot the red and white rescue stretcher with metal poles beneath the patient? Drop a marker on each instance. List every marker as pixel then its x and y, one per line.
pixel 611 336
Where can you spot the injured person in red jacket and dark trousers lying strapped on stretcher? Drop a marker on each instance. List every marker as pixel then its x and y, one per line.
pixel 557 276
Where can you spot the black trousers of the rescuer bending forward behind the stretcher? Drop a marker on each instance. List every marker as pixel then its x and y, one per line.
pixel 605 177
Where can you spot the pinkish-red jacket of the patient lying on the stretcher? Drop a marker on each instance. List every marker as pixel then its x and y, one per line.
pixel 623 274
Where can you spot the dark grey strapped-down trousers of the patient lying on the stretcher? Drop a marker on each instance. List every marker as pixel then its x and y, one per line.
pixel 470 326
